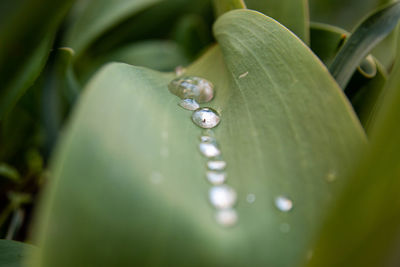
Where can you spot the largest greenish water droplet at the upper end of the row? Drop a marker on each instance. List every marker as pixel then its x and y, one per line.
pixel 192 87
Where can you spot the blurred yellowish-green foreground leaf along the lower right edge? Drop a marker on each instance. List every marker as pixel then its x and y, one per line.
pixel 362 228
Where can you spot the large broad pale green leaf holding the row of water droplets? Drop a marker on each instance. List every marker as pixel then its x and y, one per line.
pixel 128 172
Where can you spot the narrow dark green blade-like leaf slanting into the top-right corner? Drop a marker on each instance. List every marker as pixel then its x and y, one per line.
pixel 370 32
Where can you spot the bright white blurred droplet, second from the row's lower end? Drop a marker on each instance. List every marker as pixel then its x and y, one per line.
pixel 222 196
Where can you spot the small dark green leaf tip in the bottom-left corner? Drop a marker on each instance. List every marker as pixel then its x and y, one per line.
pixel 14 254
